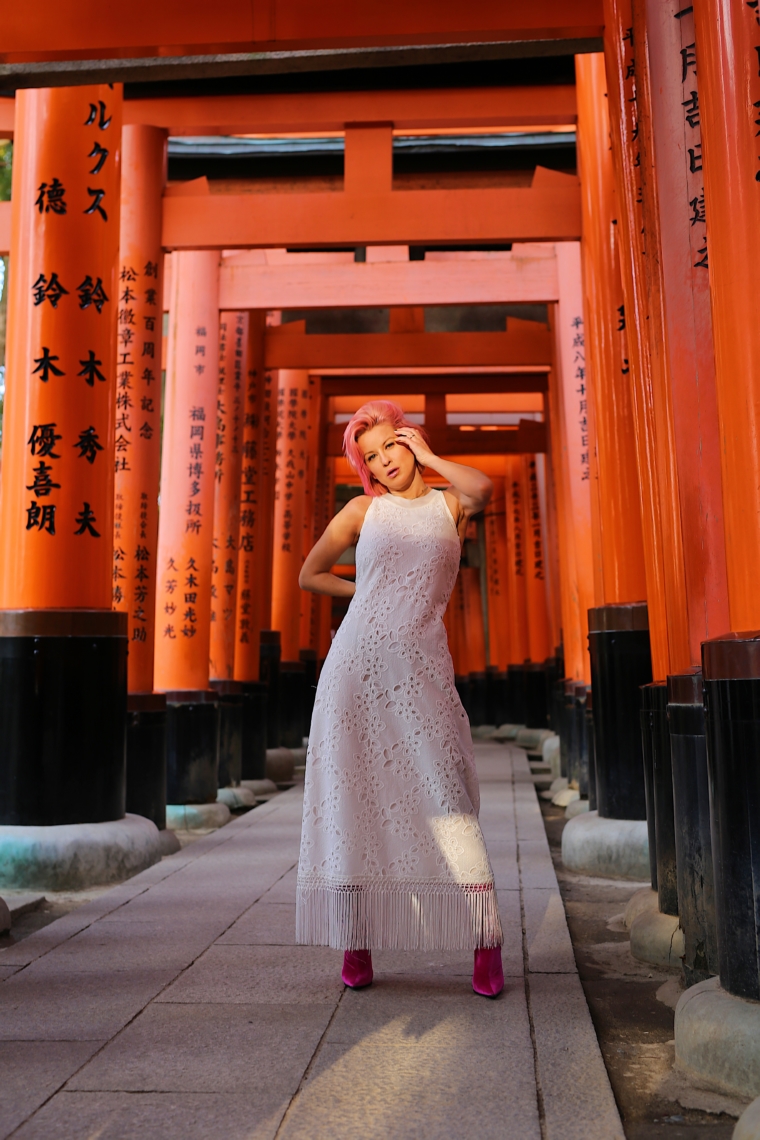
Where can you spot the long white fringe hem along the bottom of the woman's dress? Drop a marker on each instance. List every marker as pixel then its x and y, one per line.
pixel 399 917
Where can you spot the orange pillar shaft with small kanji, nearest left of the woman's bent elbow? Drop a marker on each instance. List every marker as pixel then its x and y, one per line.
pixel 290 482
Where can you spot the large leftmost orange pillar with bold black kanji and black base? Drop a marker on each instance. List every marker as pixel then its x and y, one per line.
pixel 63 699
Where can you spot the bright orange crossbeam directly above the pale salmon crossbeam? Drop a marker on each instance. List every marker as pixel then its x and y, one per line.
pixel 228 222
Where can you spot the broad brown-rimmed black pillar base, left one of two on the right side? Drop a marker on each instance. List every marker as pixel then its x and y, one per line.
pixel 619 646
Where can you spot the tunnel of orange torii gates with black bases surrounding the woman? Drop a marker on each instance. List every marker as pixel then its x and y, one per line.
pixel 186 343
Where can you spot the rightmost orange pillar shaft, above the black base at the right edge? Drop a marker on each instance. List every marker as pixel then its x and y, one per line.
pixel 729 38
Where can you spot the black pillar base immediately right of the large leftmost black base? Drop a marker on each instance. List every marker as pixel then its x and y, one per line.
pixel 146 756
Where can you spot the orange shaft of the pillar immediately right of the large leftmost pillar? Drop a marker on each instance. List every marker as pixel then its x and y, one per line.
pixel 138 396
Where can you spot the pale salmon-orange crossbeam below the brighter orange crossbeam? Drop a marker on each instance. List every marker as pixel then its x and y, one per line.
pixel 488 280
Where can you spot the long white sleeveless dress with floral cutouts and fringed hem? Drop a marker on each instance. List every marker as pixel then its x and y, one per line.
pixel 393 856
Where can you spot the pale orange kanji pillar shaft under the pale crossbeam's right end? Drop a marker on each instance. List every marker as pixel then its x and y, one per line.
pixel 571 428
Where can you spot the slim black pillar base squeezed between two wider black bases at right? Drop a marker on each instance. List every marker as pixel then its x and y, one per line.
pixel 655 705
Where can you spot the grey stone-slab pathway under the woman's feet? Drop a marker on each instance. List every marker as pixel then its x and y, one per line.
pixel 178 1005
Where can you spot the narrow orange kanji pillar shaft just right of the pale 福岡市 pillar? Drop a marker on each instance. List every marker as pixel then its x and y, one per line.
pixel 233 378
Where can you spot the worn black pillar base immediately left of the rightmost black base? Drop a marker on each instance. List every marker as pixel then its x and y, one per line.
pixel 697 900
